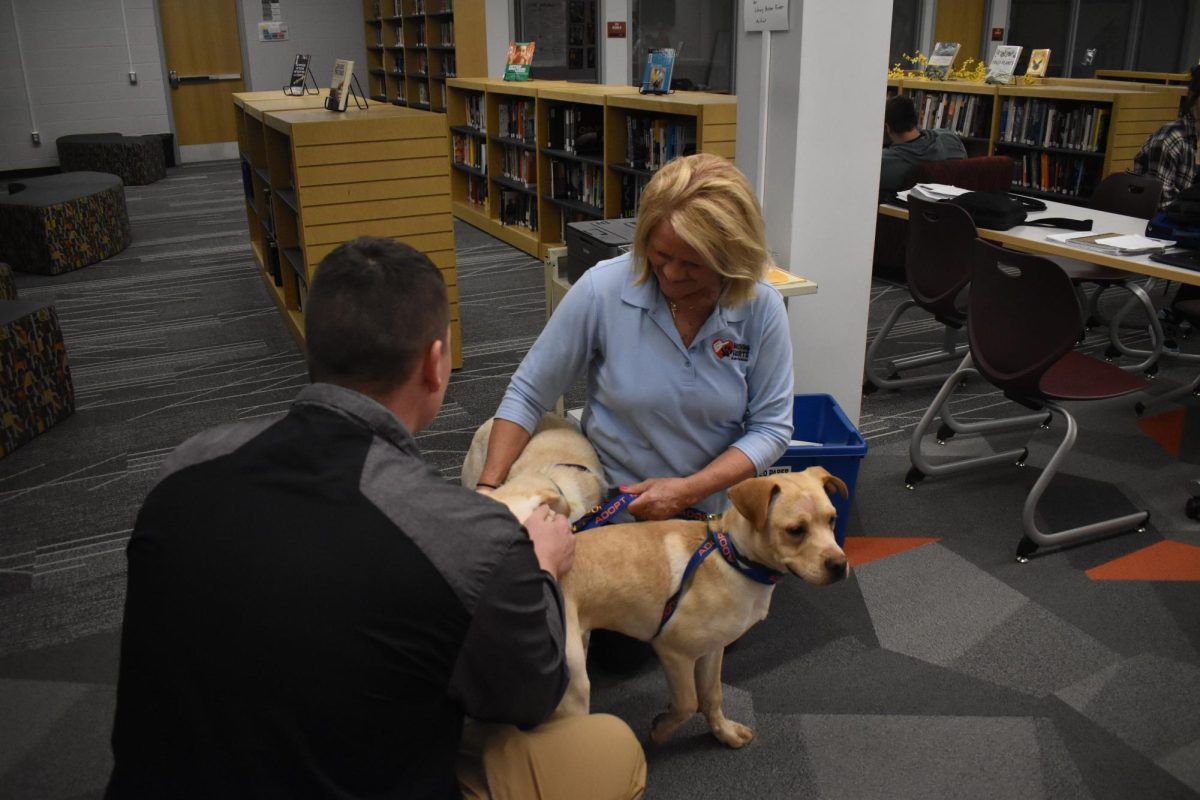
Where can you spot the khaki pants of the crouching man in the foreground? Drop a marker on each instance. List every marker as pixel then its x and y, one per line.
pixel 595 757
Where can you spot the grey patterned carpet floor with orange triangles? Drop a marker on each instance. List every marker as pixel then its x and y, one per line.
pixel 941 669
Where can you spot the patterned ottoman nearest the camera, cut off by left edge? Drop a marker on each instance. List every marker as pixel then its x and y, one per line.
pixel 35 382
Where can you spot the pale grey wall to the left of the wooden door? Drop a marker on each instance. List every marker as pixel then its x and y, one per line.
pixel 79 75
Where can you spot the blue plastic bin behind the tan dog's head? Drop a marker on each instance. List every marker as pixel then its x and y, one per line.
pixel 838 447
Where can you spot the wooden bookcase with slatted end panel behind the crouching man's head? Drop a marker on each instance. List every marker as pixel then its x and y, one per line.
pixel 316 179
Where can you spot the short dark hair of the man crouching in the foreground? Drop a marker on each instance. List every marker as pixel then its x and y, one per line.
pixel 374 309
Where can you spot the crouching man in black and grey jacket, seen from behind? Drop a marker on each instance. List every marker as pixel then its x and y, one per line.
pixel 313 609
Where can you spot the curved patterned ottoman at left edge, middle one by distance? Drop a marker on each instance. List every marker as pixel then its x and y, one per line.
pixel 59 224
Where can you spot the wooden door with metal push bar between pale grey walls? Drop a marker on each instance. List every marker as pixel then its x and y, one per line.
pixel 203 52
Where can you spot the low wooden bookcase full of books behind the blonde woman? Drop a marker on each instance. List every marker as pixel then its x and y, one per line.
pixel 560 153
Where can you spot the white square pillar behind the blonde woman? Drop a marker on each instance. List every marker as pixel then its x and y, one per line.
pixel 829 77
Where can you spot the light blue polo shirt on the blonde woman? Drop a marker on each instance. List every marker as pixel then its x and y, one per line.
pixel 657 408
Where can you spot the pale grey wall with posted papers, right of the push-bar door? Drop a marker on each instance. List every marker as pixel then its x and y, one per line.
pixel 323 29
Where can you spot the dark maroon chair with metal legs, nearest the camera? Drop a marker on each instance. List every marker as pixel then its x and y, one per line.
pixel 1023 326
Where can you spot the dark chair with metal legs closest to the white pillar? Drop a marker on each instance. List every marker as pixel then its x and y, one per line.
pixel 938 270
